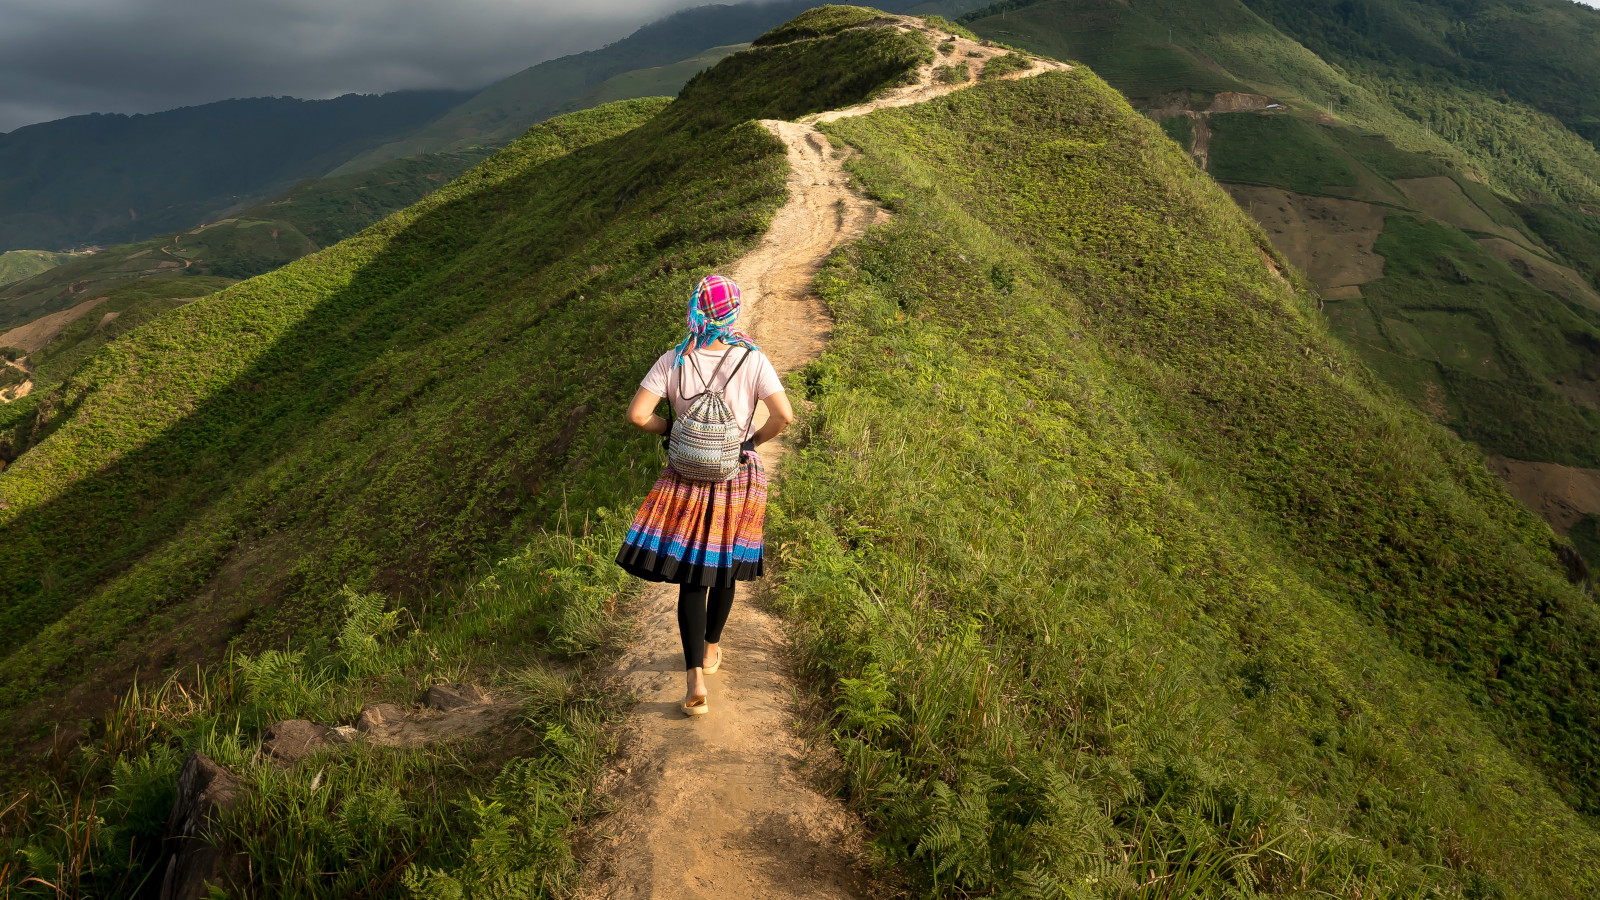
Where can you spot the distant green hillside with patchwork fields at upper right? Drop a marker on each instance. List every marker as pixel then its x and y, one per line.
pixel 1449 225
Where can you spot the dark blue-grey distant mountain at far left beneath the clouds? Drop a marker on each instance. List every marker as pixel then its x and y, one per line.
pixel 119 179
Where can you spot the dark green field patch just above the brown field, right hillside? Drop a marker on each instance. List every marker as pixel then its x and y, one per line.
pixel 1279 151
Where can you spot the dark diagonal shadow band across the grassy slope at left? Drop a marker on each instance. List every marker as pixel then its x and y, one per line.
pixel 410 295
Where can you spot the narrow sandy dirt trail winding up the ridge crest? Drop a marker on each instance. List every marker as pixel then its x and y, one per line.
pixel 714 808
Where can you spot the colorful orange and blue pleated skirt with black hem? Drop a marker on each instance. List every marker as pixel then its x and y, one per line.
pixel 705 534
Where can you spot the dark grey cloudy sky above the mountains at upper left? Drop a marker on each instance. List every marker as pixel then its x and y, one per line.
pixel 70 57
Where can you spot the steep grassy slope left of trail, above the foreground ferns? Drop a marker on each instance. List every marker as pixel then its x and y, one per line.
pixel 388 411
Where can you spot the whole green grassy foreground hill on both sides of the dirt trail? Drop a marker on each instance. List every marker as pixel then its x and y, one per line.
pixel 1111 569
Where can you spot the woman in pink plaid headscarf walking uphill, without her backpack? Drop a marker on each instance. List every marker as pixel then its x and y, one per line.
pixel 706 536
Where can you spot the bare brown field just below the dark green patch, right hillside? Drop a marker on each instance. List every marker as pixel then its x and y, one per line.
pixel 1329 239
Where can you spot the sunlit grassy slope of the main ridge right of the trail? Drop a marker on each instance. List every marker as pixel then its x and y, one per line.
pixel 1124 574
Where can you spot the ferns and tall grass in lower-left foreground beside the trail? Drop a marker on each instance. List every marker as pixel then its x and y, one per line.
pixel 455 819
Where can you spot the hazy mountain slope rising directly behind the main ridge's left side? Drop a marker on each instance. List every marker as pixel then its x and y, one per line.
pixel 679 42
